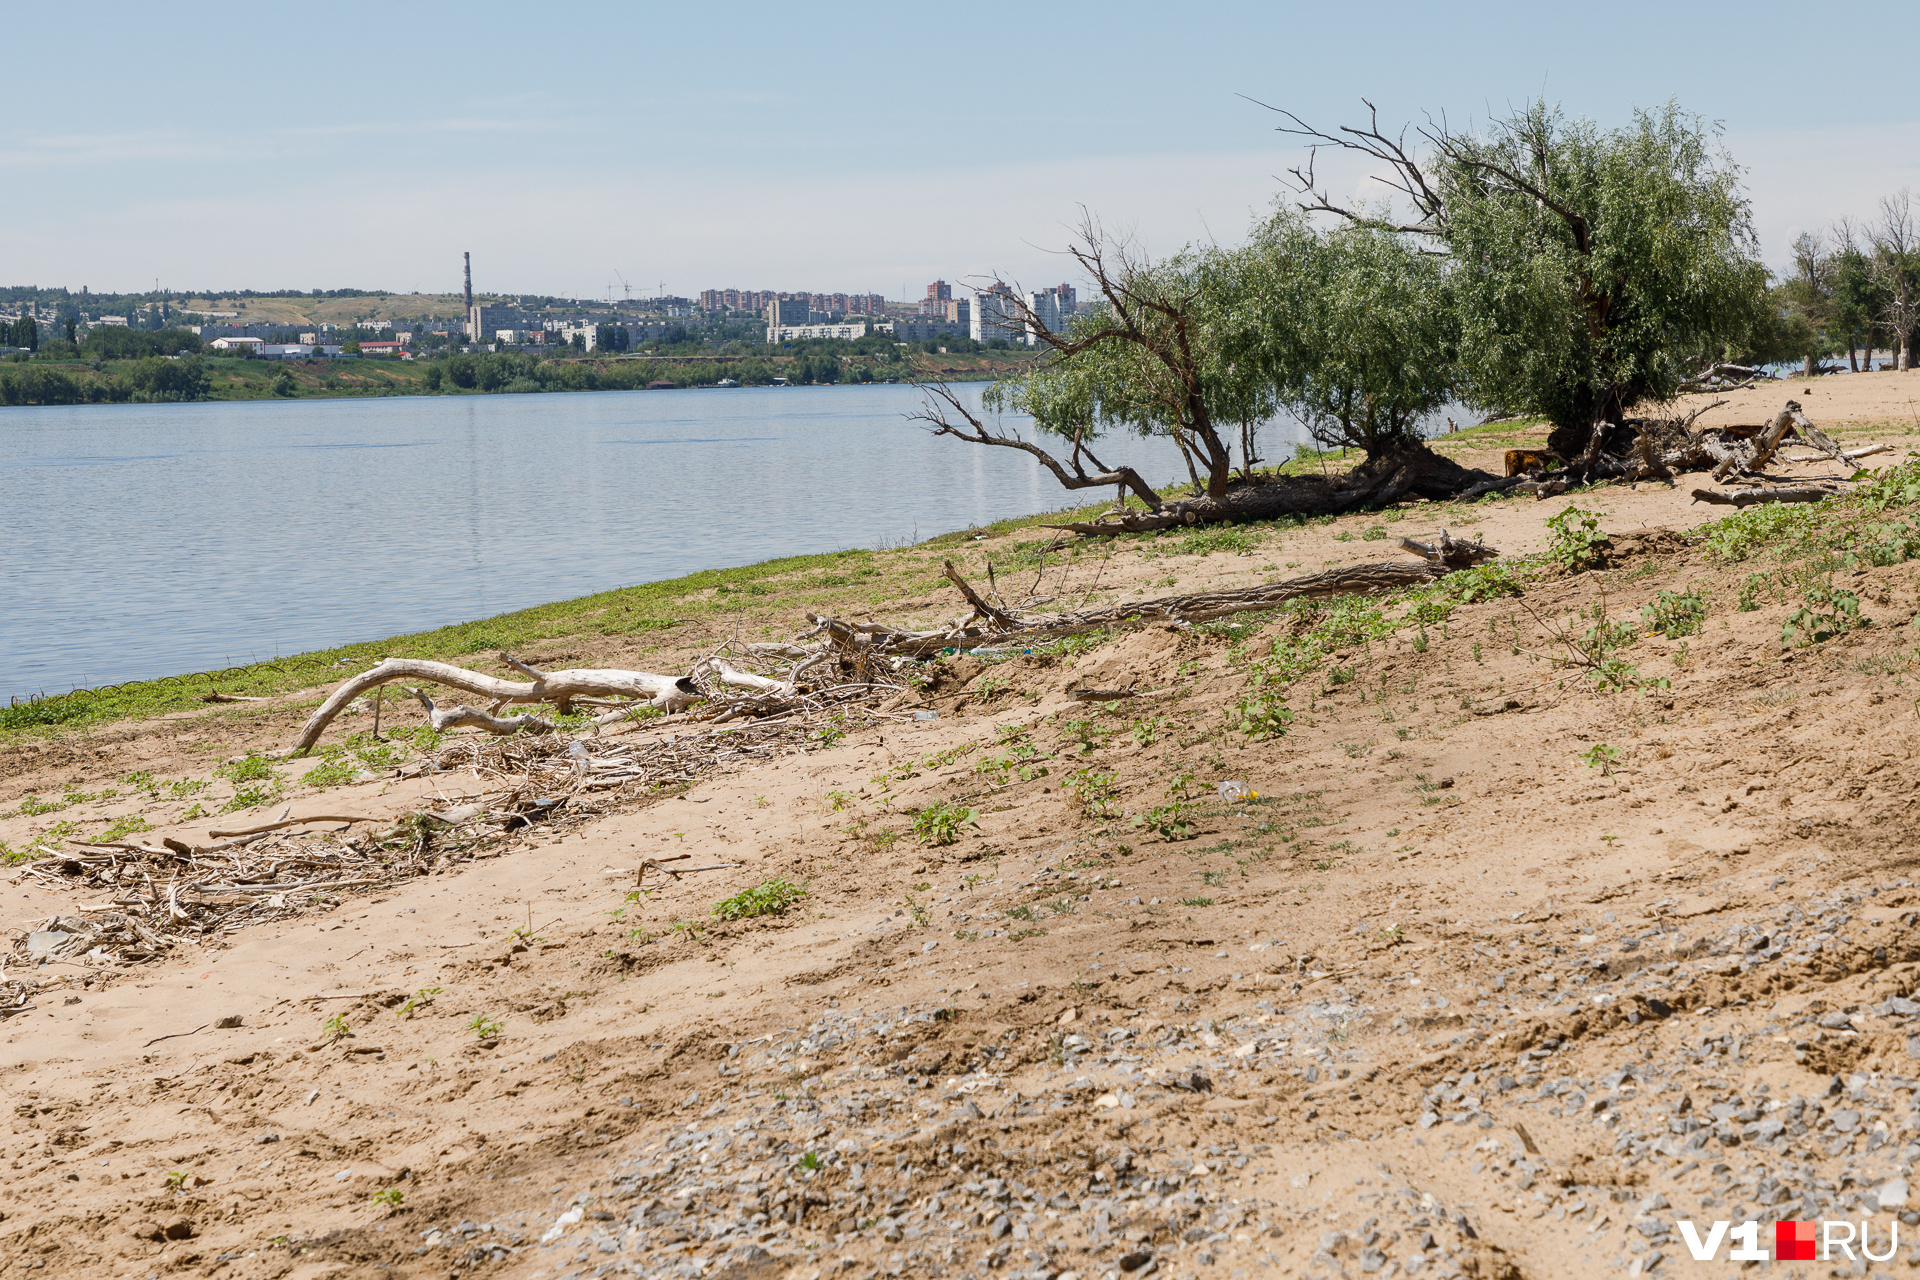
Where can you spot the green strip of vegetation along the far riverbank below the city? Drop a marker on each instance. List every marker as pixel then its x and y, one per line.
pixel 124 366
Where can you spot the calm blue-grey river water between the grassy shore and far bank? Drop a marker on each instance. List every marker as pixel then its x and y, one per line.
pixel 151 540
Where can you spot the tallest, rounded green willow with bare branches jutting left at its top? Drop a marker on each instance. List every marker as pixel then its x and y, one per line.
pixel 1591 270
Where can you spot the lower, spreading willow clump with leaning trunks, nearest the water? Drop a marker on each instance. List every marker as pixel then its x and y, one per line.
pixel 1351 331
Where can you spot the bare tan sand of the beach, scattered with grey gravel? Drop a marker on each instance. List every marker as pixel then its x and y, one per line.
pixel 1454 995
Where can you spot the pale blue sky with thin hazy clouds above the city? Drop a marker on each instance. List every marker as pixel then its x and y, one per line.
pixel 850 147
